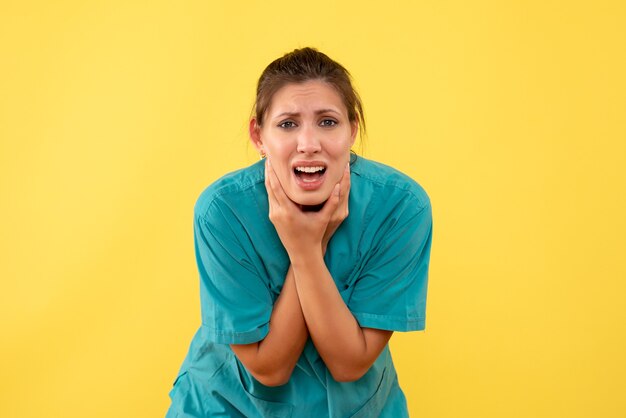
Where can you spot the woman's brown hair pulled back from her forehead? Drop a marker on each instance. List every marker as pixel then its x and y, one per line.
pixel 302 65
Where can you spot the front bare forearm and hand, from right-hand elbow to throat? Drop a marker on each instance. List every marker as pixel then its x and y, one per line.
pixel 347 350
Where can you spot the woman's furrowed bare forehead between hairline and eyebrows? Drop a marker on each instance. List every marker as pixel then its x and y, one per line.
pixel 308 96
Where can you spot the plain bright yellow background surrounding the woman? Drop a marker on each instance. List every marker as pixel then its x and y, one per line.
pixel 114 115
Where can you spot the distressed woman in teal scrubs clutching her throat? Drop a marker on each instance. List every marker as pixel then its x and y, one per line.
pixel 308 262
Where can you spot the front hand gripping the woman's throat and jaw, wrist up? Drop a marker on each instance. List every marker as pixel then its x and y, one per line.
pixel 300 232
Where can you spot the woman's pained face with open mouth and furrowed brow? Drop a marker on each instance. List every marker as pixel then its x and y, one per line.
pixel 307 136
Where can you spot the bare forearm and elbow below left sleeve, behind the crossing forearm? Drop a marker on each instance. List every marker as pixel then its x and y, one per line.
pixel 272 360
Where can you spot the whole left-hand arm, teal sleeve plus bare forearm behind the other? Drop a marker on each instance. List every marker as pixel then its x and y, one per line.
pixel 237 306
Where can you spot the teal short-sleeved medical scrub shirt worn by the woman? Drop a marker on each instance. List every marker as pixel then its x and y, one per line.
pixel 378 258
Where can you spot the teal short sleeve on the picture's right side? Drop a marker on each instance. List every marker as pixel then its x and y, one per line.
pixel 390 293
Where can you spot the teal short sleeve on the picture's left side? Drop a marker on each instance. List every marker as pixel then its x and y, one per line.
pixel 235 301
